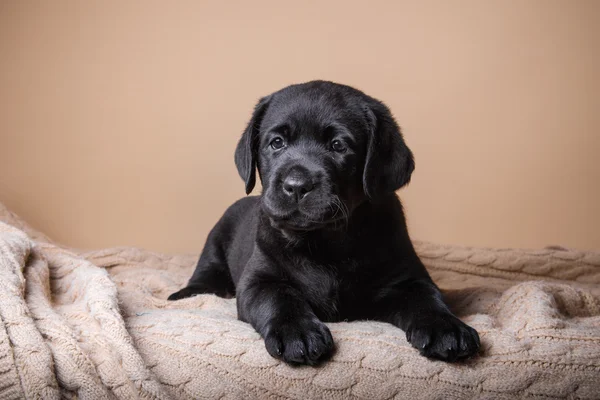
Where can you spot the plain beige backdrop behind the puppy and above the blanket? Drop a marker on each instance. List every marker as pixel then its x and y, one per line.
pixel 118 120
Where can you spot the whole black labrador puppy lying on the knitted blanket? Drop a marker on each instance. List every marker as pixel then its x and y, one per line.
pixel 327 239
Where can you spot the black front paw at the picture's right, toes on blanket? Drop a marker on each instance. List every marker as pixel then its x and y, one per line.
pixel 443 337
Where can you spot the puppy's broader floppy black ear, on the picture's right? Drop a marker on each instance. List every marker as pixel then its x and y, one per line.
pixel 389 162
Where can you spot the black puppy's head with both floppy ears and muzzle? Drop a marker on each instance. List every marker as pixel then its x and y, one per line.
pixel 321 149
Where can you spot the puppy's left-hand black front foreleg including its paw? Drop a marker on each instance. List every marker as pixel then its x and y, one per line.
pixel 289 327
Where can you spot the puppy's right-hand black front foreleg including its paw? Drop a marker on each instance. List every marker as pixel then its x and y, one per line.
pixel 417 307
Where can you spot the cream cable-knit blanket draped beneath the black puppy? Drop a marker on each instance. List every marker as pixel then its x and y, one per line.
pixel 97 325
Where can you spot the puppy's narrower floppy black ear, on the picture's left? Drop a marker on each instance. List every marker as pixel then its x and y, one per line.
pixel 246 152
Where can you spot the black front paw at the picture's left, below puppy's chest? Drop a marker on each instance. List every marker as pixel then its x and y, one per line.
pixel 306 341
